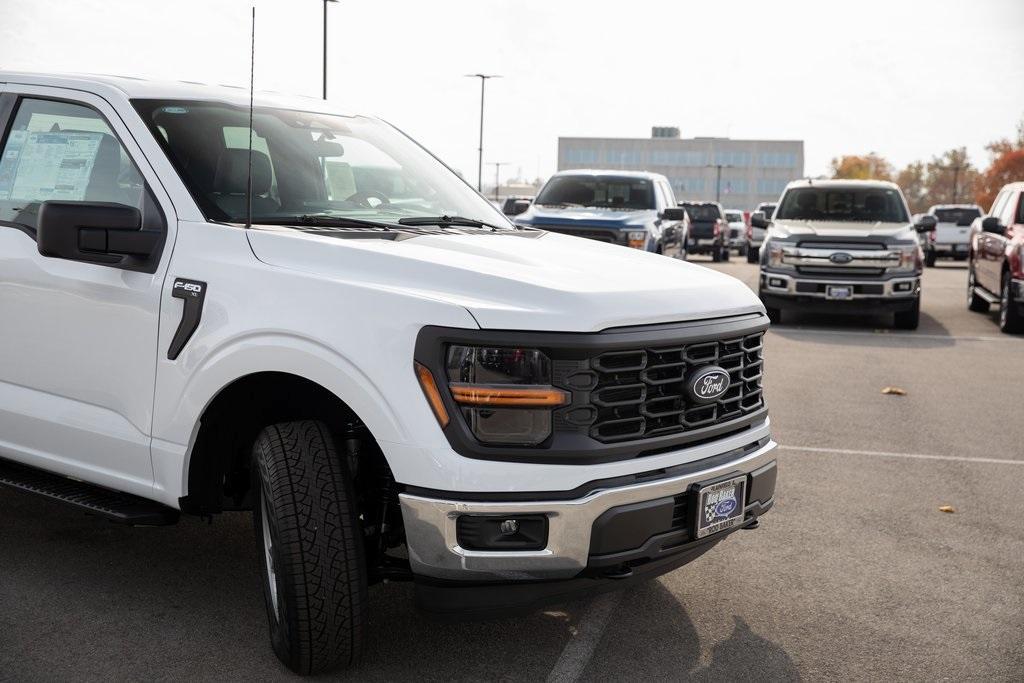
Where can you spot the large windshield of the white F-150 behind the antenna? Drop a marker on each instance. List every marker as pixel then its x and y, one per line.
pixel 306 164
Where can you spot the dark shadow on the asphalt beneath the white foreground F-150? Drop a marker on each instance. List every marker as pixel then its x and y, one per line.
pixel 186 603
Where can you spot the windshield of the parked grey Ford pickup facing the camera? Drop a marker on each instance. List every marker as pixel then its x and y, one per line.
pixel 843 204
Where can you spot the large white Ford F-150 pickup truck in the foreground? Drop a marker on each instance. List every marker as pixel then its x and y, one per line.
pixel 302 314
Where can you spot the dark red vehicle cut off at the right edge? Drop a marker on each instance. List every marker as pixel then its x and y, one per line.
pixel 997 262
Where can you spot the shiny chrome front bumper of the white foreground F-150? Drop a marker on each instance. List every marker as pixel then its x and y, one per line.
pixel 435 550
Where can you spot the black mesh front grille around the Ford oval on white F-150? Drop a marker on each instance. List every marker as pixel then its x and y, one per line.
pixel 639 394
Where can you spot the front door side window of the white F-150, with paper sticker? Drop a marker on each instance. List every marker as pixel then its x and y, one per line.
pixel 60 151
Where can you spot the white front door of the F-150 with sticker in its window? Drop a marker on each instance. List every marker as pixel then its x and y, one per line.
pixel 78 347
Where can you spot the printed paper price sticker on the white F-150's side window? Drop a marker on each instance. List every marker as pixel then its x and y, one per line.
pixel 54 165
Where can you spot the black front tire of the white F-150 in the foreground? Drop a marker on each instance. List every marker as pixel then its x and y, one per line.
pixel 313 560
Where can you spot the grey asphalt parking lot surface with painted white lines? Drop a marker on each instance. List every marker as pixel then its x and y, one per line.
pixel 857 575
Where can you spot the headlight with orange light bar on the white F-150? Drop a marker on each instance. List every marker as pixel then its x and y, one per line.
pixel 504 394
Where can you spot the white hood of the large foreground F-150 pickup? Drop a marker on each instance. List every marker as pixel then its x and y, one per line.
pixel 511 282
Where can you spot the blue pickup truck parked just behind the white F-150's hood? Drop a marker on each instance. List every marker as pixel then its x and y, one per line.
pixel 628 208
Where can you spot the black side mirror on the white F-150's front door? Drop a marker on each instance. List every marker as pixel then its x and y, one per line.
pixel 94 232
